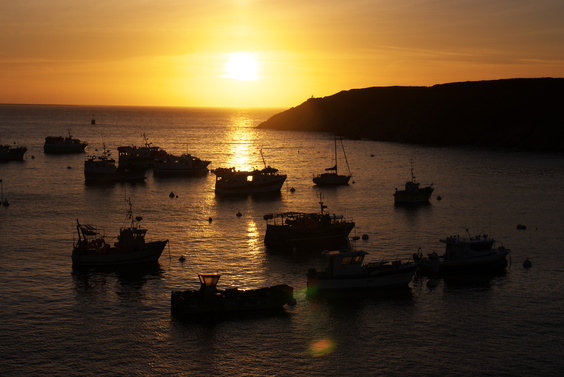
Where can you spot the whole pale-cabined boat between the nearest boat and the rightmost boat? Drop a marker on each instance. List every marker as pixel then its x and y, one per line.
pixel 345 270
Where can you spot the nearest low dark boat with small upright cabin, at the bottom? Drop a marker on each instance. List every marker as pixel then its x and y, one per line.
pixel 210 302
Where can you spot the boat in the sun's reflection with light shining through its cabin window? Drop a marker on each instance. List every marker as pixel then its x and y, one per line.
pixel 230 181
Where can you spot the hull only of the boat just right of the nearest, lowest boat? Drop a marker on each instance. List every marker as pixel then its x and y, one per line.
pixel 393 278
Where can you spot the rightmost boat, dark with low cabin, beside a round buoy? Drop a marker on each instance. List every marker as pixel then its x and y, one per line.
pixel 472 253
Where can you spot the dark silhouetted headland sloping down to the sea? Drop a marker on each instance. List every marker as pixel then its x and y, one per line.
pixel 524 114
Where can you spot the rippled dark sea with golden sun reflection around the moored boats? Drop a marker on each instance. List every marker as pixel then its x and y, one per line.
pixel 57 321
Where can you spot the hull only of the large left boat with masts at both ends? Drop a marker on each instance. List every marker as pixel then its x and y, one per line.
pixel 150 253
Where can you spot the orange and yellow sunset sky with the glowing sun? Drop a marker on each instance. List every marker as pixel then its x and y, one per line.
pixel 264 53
